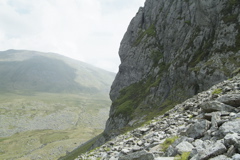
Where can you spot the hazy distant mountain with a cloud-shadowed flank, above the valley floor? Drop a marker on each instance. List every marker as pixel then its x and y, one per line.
pixel 32 71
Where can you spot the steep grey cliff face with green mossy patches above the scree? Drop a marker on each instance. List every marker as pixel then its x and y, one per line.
pixel 172 50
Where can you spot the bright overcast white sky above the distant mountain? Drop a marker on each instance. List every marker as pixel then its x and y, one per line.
pixel 86 30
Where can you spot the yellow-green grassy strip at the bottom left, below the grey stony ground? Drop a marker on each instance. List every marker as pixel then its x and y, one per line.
pixel 44 143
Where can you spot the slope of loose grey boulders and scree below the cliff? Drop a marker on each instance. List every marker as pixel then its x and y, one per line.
pixel 187 130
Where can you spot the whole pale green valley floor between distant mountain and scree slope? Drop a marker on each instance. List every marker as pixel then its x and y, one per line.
pixel 92 110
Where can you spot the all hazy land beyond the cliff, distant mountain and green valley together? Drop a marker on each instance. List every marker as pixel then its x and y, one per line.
pixel 49 104
